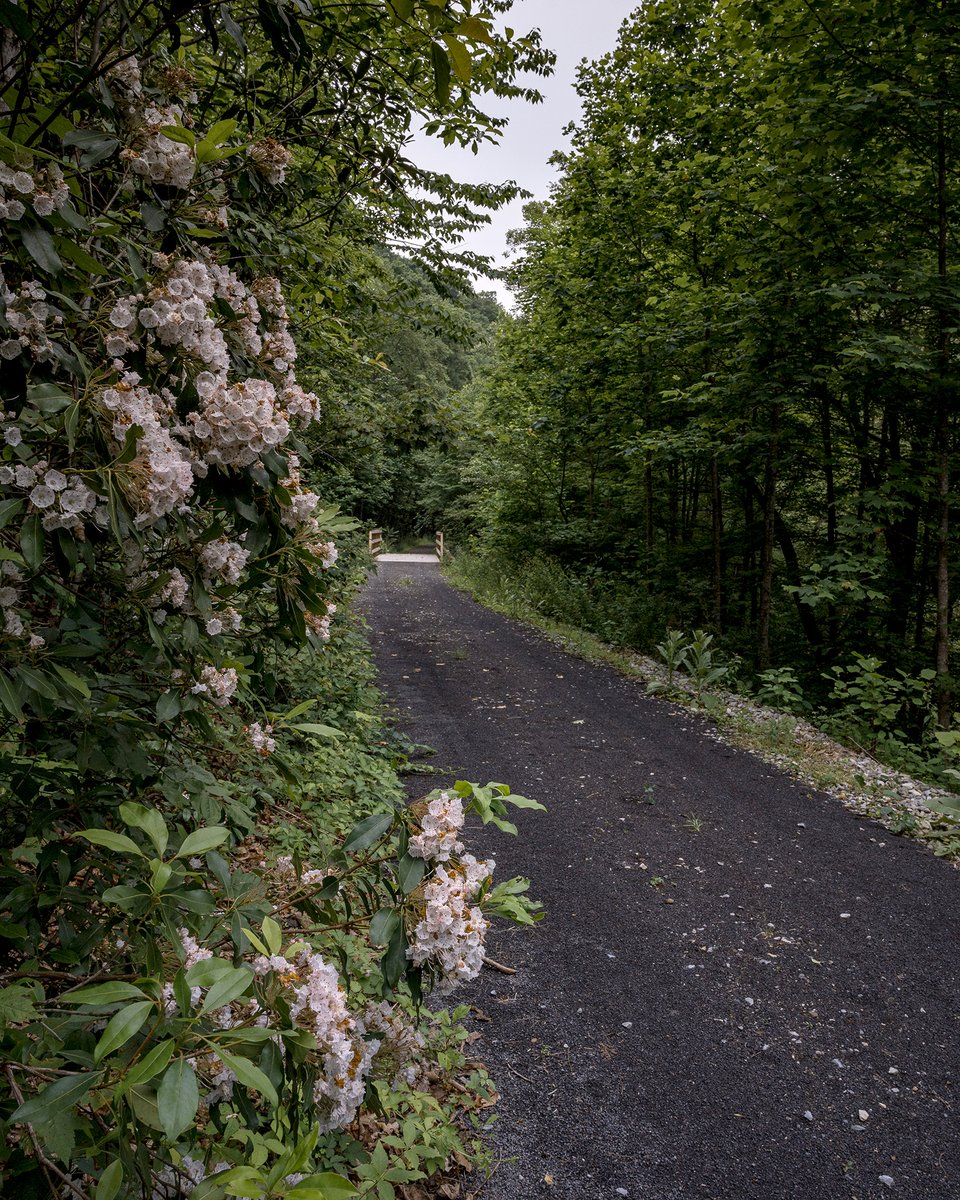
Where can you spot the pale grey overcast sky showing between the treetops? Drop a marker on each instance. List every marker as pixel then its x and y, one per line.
pixel 574 31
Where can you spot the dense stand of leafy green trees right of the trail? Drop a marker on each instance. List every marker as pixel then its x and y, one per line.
pixel 728 399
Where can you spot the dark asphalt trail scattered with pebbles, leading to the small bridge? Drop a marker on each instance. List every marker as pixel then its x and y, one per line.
pixel 741 992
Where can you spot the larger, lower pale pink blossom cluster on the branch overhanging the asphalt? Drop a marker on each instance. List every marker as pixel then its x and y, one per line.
pixel 451 934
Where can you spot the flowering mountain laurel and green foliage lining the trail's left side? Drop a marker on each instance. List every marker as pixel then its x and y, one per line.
pixel 221 922
